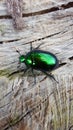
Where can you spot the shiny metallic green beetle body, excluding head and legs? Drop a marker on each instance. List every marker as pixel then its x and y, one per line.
pixel 41 60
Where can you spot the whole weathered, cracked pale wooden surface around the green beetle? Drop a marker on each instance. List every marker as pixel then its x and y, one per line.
pixel 45 105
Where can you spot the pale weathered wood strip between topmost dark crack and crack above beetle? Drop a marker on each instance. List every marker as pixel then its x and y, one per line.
pixel 37 25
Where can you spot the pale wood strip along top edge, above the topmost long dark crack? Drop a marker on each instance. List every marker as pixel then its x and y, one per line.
pixel 37 5
